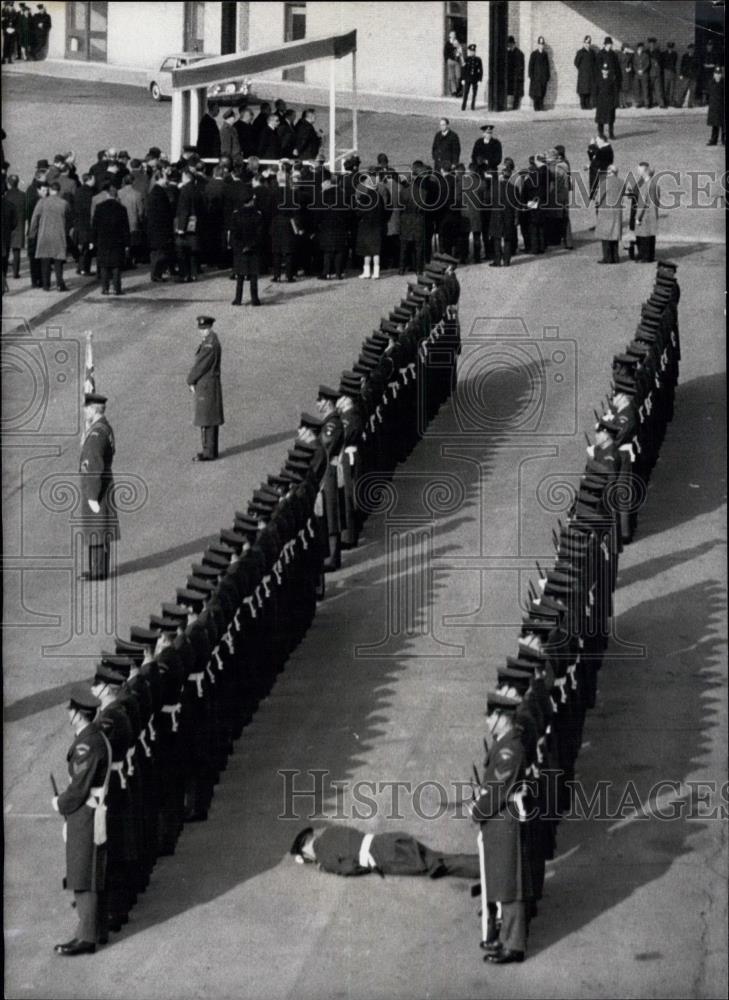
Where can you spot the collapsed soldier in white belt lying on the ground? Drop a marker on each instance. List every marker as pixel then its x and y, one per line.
pixel 342 850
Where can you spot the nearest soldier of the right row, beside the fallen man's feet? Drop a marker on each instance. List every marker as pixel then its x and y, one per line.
pixel 496 809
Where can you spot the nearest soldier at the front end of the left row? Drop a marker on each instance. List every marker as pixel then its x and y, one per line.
pixel 82 805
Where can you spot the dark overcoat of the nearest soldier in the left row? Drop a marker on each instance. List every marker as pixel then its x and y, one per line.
pixel 88 762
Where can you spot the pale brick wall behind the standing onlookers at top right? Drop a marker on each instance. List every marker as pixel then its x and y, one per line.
pixel 565 28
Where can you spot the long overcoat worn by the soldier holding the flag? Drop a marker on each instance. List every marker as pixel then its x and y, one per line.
pixel 97 482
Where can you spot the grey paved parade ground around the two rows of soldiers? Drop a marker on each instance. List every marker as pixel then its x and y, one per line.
pixel 633 909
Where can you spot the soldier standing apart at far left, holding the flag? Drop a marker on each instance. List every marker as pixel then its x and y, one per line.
pixel 99 519
